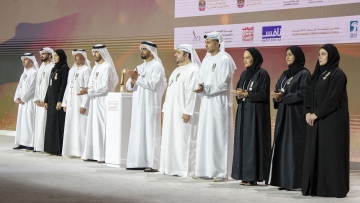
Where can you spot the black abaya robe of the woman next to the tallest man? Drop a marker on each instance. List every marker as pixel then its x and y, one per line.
pixel 252 140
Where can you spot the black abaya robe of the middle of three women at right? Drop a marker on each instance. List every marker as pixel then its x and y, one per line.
pixel 290 132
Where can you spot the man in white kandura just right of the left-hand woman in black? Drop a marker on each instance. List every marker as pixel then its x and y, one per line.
pixel 75 105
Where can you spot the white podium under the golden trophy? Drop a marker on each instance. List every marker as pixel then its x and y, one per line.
pixel 118 128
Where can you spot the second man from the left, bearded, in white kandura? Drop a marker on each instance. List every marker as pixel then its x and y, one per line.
pixel 42 83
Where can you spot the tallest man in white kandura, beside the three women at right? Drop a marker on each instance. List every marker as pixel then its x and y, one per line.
pixel 215 135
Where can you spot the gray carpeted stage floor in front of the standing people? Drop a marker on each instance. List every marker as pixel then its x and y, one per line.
pixel 35 177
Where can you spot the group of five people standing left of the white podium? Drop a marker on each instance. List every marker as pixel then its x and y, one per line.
pixel 57 90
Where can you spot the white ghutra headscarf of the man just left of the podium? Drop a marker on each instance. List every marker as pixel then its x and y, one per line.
pixel 114 78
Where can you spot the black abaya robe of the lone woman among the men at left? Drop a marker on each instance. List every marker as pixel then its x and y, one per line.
pixel 55 121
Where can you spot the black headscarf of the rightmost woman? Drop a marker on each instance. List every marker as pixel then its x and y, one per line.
pixel 333 61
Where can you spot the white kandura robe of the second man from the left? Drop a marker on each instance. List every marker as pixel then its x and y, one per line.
pixel 42 83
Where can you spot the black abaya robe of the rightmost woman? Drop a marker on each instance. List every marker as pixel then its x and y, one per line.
pixel 326 162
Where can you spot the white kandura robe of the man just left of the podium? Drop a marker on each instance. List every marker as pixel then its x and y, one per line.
pixel 99 82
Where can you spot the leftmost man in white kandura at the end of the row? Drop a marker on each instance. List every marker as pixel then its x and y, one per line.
pixel 24 96
